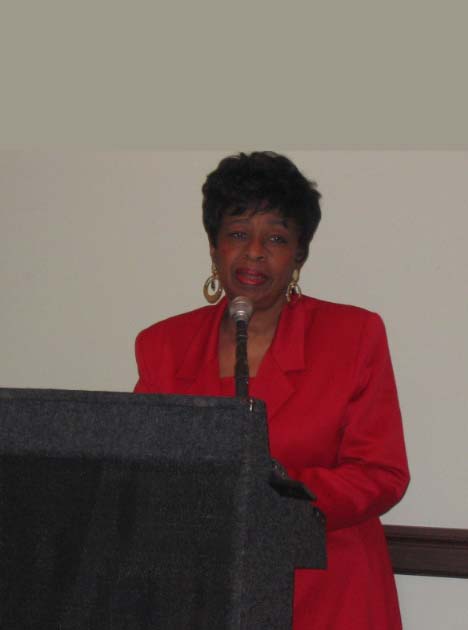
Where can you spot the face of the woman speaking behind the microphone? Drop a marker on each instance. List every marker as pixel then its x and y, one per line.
pixel 255 255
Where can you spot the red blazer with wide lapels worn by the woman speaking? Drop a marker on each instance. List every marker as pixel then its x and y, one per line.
pixel 334 423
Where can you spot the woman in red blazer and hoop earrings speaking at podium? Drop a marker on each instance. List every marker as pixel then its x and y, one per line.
pixel 323 370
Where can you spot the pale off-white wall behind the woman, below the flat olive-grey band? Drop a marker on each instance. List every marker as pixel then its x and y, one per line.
pixel 96 246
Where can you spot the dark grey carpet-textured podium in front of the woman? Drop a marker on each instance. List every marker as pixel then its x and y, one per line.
pixel 134 512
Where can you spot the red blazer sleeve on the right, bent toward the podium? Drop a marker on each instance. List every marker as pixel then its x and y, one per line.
pixel 371 470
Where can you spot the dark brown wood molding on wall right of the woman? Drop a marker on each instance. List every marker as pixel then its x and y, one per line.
pixel 434 551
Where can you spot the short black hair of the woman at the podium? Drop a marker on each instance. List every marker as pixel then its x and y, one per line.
pixel 262 181
